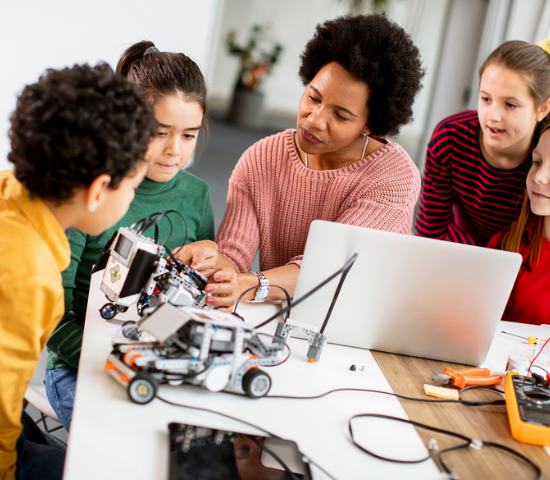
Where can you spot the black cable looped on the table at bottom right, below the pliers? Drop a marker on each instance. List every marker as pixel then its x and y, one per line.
pixel 469 442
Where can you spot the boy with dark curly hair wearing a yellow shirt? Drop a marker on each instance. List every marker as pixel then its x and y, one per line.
pixel 79 138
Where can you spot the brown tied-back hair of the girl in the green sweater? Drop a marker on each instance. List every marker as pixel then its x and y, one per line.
pixel 162 74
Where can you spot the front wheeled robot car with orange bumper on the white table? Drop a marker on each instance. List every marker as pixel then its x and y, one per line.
pixel 203 347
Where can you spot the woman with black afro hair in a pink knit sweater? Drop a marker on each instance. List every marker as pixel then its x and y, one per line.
pixel 361 75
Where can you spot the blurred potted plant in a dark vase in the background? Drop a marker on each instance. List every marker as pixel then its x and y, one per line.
pixel 257 58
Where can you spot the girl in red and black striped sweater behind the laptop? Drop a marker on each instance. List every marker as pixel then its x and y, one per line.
pixel 477 162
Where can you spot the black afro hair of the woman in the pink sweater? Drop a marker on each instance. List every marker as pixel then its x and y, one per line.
pixel 376 51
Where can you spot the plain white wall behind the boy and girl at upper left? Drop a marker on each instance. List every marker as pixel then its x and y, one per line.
pixel 37 34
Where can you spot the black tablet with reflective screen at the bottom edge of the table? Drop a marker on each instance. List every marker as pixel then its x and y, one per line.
pixel 198 453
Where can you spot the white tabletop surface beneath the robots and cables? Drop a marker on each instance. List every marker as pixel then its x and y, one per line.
pixel 113 438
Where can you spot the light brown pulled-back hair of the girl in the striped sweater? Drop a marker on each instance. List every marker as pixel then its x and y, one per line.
pixel 532 63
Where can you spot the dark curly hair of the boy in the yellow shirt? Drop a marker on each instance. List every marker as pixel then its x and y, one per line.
pixel 74 125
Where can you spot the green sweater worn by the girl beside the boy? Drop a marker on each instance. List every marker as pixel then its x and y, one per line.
pixel 185 193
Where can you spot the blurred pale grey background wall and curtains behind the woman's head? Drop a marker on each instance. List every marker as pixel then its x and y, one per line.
pixel 454 37
